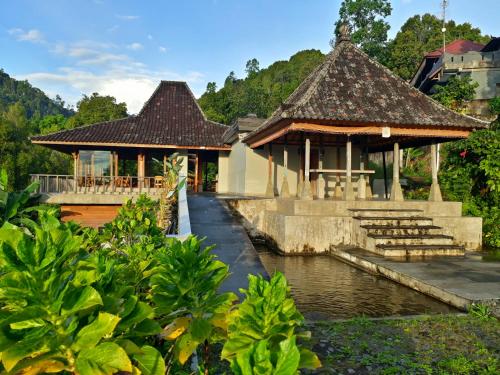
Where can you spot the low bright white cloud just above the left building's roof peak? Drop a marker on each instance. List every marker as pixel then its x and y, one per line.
pixel 130 86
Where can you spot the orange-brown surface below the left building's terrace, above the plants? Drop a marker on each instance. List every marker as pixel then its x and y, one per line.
pixel 89 215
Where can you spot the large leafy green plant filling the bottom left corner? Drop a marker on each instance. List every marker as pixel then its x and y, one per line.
pixel 53 317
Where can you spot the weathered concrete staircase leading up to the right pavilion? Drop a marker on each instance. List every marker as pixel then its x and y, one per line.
pixel 400 233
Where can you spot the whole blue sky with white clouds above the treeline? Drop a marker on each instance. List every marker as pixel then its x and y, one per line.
pixel 124 48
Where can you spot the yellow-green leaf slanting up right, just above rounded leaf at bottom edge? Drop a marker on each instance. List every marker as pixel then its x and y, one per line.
pixel 90 335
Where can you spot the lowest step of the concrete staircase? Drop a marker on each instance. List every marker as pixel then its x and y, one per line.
pixel 419 250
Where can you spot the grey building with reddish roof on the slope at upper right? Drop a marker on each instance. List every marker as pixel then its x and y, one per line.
pixel 463 58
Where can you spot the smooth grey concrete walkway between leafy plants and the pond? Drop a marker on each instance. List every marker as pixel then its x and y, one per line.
pixel 211 218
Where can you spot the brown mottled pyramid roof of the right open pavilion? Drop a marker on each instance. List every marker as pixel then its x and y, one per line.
pixel 350 88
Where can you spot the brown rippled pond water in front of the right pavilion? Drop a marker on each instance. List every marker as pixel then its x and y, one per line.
pixel 326 288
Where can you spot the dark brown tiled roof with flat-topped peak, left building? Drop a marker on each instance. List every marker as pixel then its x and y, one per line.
pixel 171 117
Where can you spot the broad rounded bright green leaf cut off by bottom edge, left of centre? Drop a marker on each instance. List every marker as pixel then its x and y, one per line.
pixel 105 359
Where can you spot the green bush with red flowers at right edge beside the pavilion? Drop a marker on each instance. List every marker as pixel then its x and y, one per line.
pixel 470 174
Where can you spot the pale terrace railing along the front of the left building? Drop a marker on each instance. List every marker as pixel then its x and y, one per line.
pixel 65 184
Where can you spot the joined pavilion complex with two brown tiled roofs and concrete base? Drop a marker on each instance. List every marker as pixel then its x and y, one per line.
pixel 305 166
